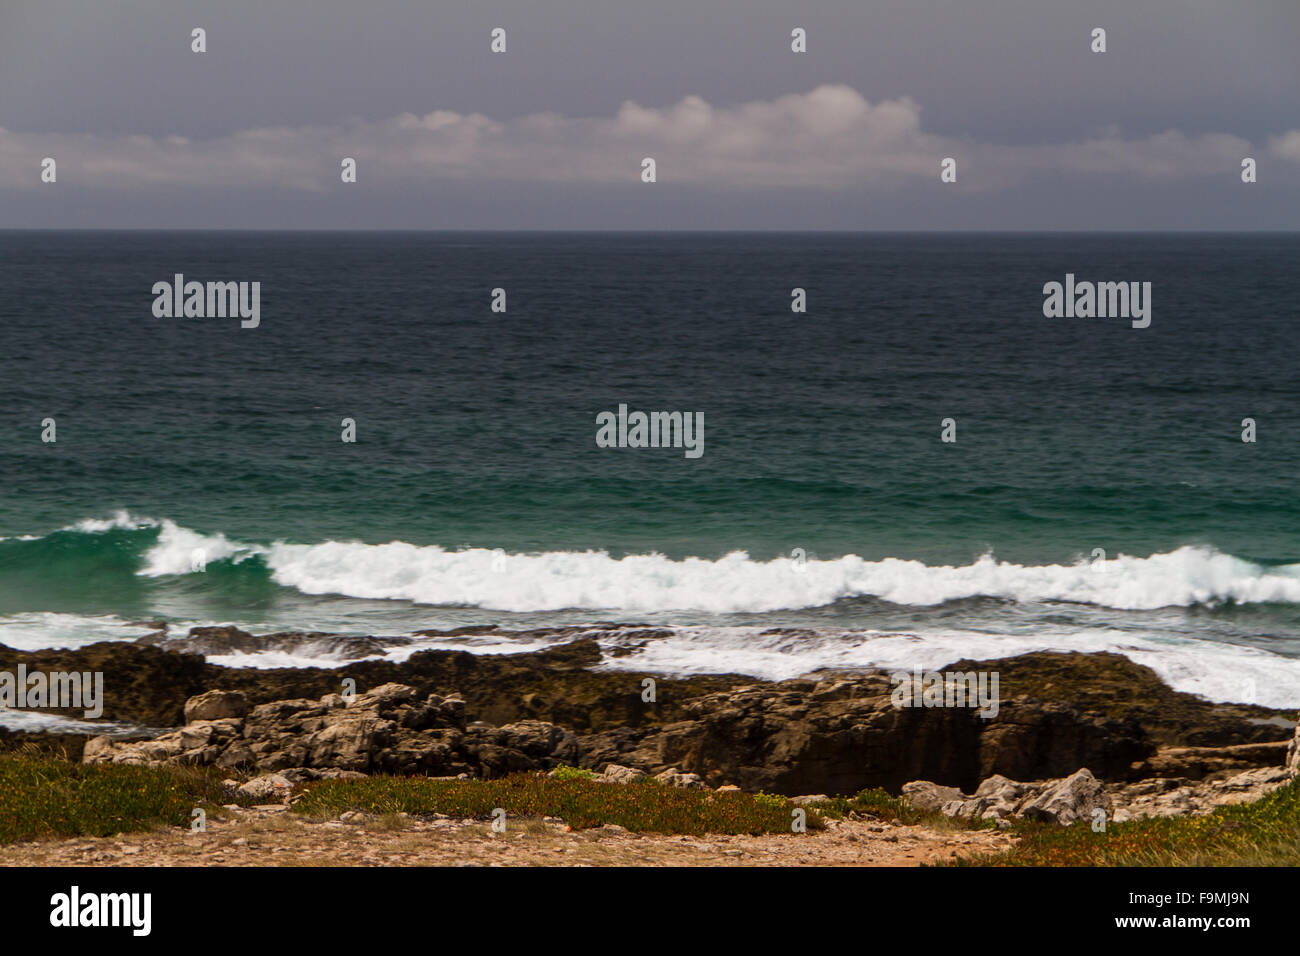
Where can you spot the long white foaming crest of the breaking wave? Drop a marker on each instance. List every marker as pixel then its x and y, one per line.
pixel 595 581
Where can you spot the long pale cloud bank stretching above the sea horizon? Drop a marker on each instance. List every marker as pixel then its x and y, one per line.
pixel 831 137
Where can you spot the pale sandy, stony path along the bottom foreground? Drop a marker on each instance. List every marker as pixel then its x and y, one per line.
pixel 271 837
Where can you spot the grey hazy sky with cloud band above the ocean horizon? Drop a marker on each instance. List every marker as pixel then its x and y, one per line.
pixel 746 133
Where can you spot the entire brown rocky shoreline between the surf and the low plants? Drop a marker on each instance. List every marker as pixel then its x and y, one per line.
pixel 1076 734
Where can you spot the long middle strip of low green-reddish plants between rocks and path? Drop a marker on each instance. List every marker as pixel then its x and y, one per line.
pixel 639 806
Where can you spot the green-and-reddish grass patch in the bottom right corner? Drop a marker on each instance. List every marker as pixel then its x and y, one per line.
pixel 1262 834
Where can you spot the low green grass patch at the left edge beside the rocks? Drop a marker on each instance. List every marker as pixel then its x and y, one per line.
pixel 42 797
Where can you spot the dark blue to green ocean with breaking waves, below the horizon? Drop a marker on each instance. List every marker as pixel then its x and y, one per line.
pixel 1099 494
